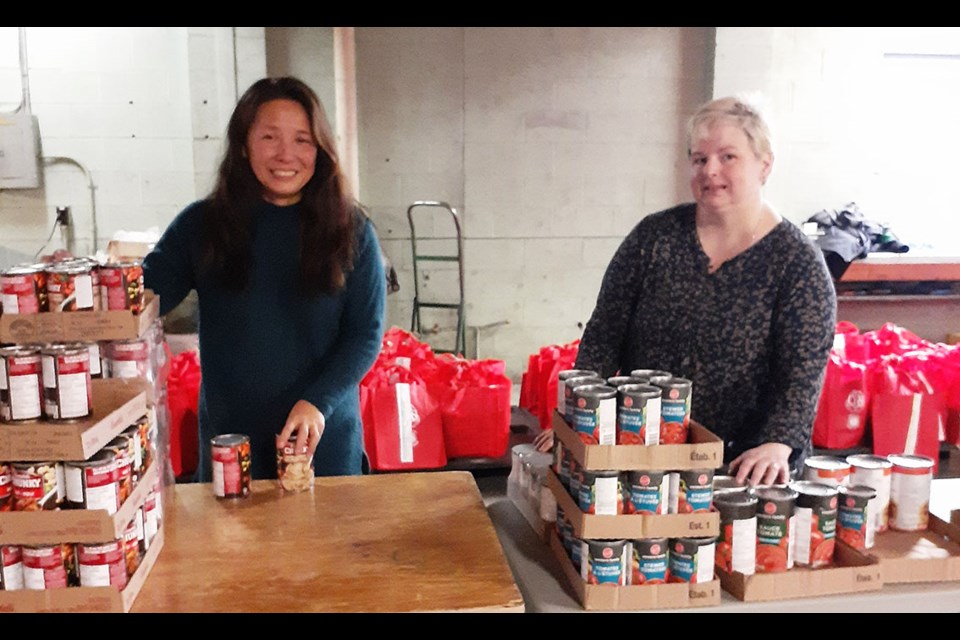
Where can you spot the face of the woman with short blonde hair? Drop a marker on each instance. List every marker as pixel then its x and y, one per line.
pixel 725 171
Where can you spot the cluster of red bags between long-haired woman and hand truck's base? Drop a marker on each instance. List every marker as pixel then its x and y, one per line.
pixel 420 409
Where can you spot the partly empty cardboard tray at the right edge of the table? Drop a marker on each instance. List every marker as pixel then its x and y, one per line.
pixel 932 555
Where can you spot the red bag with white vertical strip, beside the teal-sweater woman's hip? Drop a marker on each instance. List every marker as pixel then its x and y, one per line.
pixel 402 424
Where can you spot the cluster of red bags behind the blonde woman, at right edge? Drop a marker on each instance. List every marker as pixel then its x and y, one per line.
pixel 891 390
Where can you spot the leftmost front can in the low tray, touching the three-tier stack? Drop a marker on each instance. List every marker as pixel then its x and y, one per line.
pixel 737 542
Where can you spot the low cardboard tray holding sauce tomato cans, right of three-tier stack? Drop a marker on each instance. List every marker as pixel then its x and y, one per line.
pixel 852 572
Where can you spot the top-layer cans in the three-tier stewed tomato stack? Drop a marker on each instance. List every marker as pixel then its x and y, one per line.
pixel 648 407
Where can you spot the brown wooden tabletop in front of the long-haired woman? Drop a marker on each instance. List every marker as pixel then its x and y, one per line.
pixel 378 543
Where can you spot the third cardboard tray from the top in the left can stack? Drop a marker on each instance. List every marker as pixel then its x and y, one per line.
pixel 75 525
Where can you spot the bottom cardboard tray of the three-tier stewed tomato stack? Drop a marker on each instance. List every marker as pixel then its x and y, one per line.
pixel 678 595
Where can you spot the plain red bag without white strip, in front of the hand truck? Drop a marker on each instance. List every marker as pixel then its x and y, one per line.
pixel 476 411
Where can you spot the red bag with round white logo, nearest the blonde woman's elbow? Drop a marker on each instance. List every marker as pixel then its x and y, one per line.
pixel 841 420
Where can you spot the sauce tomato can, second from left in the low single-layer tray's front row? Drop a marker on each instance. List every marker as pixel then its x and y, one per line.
pixel 775 527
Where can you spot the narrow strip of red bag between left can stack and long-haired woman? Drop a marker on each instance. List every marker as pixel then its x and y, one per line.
pixel 183 397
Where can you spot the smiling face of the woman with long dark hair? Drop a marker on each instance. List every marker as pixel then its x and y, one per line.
pixel 282 150
